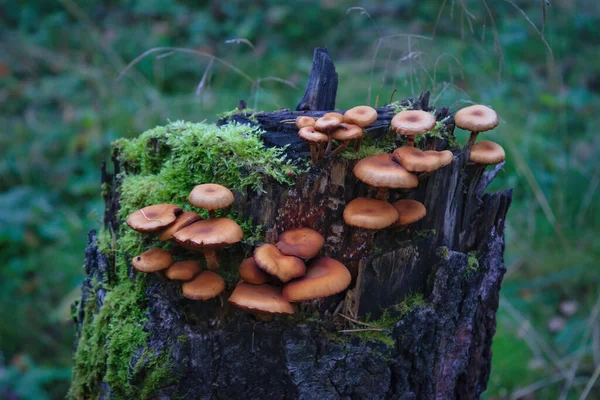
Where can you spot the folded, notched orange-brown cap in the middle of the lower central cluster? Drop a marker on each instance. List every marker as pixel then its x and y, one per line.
pixel 269 259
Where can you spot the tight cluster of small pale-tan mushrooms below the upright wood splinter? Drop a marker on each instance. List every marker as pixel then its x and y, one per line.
pixel 335 126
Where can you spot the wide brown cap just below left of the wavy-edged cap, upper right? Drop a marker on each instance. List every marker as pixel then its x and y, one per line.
pixel 382 171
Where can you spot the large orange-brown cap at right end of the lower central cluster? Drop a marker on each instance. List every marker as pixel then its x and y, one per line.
pixel 324 277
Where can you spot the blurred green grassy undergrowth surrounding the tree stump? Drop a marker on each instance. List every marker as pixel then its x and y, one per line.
pixel 61 105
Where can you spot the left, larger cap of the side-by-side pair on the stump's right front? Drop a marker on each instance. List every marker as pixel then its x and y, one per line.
pixel 370 213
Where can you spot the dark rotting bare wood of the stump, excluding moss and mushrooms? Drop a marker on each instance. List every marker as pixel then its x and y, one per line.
pixel 435 348
